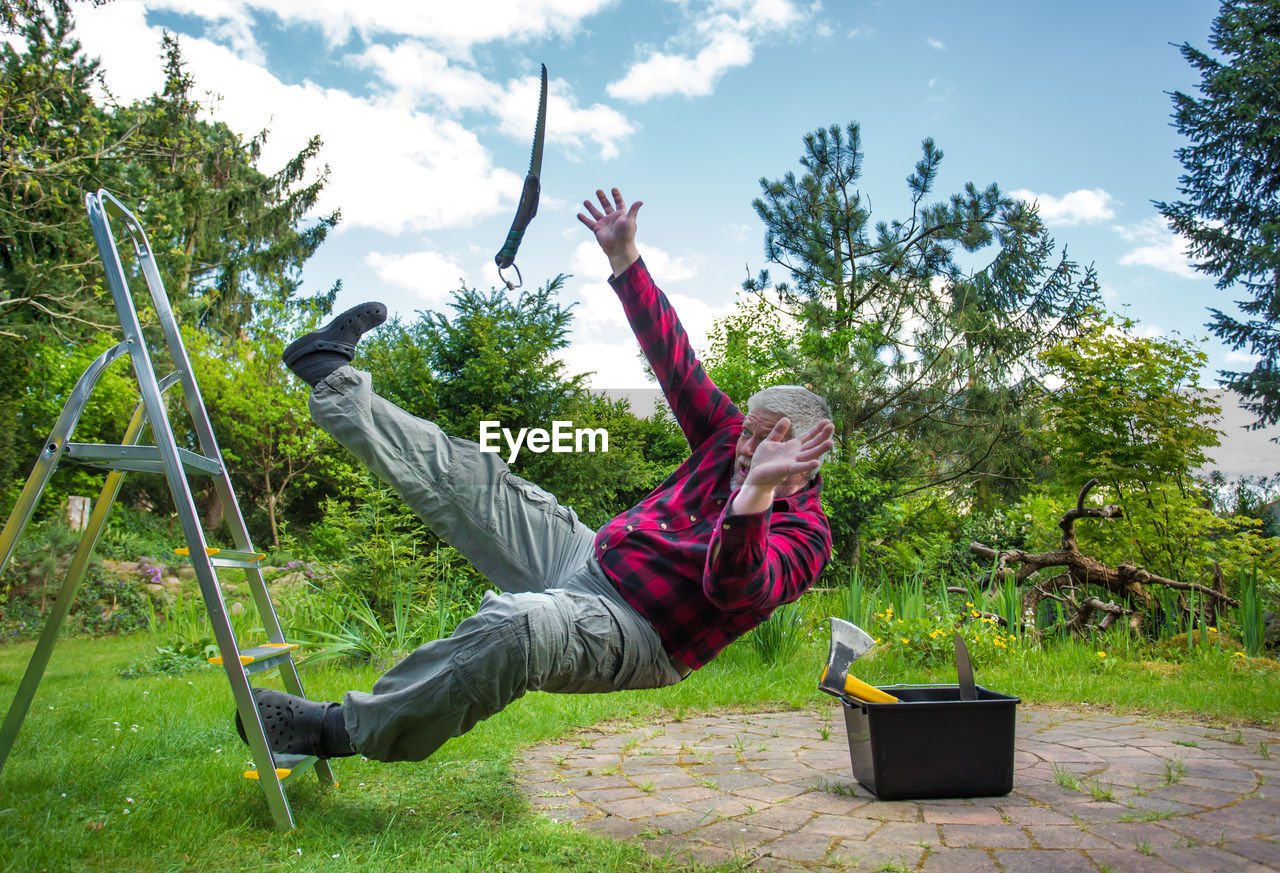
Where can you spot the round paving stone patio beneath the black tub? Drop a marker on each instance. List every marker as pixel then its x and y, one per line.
pixel 1092 793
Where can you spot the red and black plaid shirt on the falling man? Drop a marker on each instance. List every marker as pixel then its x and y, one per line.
pixel 659 554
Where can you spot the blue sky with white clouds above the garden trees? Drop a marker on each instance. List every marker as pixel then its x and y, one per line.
pixel 427 113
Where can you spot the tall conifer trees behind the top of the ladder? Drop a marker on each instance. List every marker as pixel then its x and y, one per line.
pixel 226 235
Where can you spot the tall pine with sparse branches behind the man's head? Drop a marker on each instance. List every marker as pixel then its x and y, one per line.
pixel 921 332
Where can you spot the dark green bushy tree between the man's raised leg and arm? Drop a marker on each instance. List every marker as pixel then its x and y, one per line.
pixel 496 359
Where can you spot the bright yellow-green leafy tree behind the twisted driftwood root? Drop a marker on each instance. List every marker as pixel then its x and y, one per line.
pixel 1132 414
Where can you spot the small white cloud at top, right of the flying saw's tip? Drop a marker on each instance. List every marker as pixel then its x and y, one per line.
pixel 721 36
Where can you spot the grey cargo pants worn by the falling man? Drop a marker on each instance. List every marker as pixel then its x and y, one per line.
pixel 560 624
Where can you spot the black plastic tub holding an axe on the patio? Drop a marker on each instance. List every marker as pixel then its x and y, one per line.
pixel 932 744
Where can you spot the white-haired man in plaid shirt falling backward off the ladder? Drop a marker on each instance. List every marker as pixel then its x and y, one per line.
pixel 734 533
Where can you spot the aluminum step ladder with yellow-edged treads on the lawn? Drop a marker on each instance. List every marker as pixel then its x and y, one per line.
pixel 177 465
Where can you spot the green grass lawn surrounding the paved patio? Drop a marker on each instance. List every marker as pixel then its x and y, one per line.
pixel 145 775
